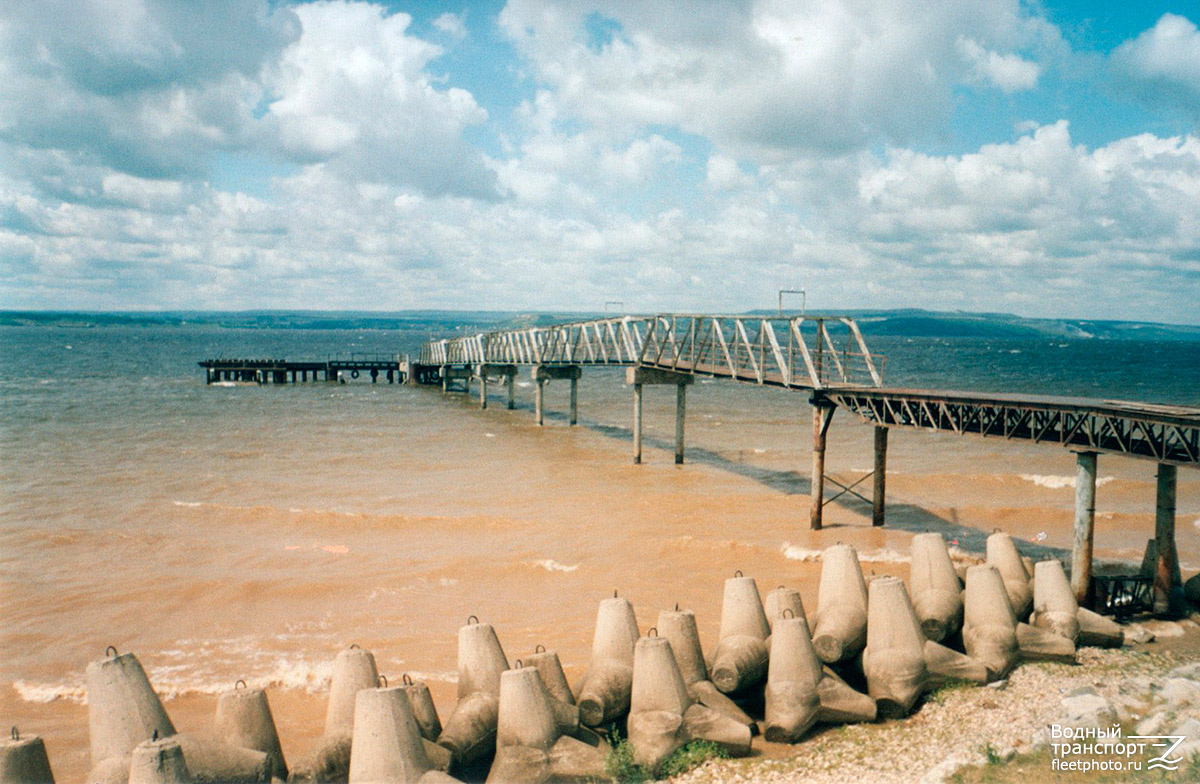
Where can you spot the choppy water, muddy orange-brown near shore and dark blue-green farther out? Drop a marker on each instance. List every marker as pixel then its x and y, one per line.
pixel 251 532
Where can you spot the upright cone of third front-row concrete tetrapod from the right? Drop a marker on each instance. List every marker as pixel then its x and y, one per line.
pixel 895 659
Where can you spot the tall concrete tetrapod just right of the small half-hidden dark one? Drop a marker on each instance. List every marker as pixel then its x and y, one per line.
pixel 471 731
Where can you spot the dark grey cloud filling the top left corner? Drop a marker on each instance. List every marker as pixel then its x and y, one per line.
pixel 149 88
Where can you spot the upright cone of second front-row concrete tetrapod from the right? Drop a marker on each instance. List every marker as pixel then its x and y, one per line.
pixel 989 629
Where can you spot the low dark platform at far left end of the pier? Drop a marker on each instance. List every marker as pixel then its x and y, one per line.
pixel 393 368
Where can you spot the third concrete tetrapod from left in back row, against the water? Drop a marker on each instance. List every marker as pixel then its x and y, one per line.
pixel 355 669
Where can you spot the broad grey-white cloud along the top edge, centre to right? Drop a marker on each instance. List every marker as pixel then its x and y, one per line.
pixel 773 79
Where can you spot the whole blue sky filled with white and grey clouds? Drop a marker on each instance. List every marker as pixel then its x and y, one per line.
pixel 1033 158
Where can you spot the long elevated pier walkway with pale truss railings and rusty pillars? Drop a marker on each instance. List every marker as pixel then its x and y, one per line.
pixel 827 360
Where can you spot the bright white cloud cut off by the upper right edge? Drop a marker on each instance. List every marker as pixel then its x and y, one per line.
pixel 1163 64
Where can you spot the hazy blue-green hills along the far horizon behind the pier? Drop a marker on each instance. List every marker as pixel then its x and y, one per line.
pixel 907 324
